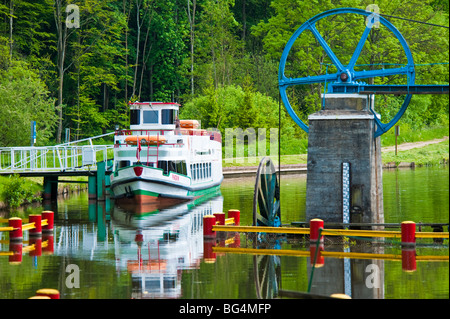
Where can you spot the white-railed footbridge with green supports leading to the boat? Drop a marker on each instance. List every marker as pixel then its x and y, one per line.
pixel 77 158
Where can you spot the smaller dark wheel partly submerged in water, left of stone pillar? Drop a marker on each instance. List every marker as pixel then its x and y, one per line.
pixel 266 197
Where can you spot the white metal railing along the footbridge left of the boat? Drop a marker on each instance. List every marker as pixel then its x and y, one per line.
pixel 52 158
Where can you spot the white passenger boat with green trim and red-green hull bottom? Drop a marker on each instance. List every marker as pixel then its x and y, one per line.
pixel 162 160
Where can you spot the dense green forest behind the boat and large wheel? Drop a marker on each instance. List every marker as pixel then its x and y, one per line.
pixel 217 58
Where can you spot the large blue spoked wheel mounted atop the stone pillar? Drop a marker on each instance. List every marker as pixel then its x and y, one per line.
pixel 346 76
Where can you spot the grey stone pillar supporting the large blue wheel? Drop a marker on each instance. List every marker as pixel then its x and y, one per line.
pixel 343 132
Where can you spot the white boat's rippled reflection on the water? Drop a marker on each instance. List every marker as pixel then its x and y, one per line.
pixel 155 246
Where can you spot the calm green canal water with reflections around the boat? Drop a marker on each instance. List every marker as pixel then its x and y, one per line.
pixel 99 250
